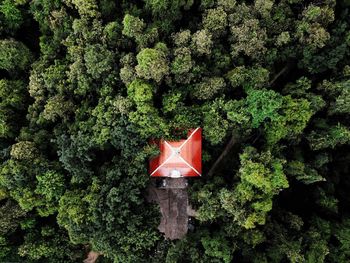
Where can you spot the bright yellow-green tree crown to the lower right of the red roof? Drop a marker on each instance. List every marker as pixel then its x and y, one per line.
pixel 261 177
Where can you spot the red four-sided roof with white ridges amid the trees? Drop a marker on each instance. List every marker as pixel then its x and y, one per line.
pixel 181 158
